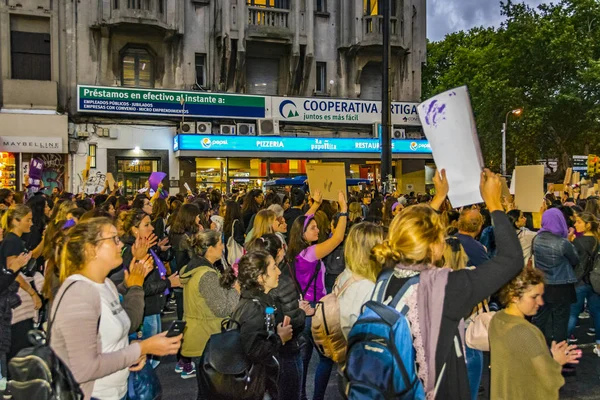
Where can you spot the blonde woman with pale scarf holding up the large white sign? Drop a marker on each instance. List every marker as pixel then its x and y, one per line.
pixel 438 298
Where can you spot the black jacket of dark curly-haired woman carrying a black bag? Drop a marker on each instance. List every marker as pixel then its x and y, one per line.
pixel 260 346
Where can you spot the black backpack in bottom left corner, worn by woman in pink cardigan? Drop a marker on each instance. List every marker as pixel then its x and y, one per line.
pixel 37 372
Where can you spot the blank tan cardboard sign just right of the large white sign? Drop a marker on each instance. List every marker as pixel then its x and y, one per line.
pixel 529 187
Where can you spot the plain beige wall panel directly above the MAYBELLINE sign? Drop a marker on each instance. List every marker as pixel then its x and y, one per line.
pixel 29 94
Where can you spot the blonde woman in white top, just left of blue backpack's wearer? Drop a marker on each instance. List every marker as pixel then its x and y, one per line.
pixel 357 282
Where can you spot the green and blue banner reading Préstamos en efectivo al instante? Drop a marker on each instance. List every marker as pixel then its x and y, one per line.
pixel 117 100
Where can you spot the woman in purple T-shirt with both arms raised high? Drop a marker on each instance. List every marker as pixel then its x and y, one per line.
pixel 305 255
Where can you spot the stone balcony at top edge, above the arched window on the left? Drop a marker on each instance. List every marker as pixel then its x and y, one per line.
pixel 164 14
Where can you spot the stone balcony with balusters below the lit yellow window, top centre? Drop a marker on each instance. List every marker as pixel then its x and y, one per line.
pixel 271 23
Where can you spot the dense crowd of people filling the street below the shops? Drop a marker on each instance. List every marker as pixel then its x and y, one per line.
pixel 98 272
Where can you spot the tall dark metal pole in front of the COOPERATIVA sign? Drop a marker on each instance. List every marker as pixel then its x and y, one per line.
pixel 386 142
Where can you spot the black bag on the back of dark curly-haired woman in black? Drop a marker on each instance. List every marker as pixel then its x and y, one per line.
pixel 225 369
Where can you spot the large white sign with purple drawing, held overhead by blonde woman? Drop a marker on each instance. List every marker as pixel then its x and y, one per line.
pixel 449 125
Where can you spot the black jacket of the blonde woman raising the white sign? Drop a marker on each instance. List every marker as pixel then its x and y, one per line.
pixel 465 289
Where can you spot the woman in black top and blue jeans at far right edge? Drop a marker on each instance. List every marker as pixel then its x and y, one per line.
pixel 587 248
